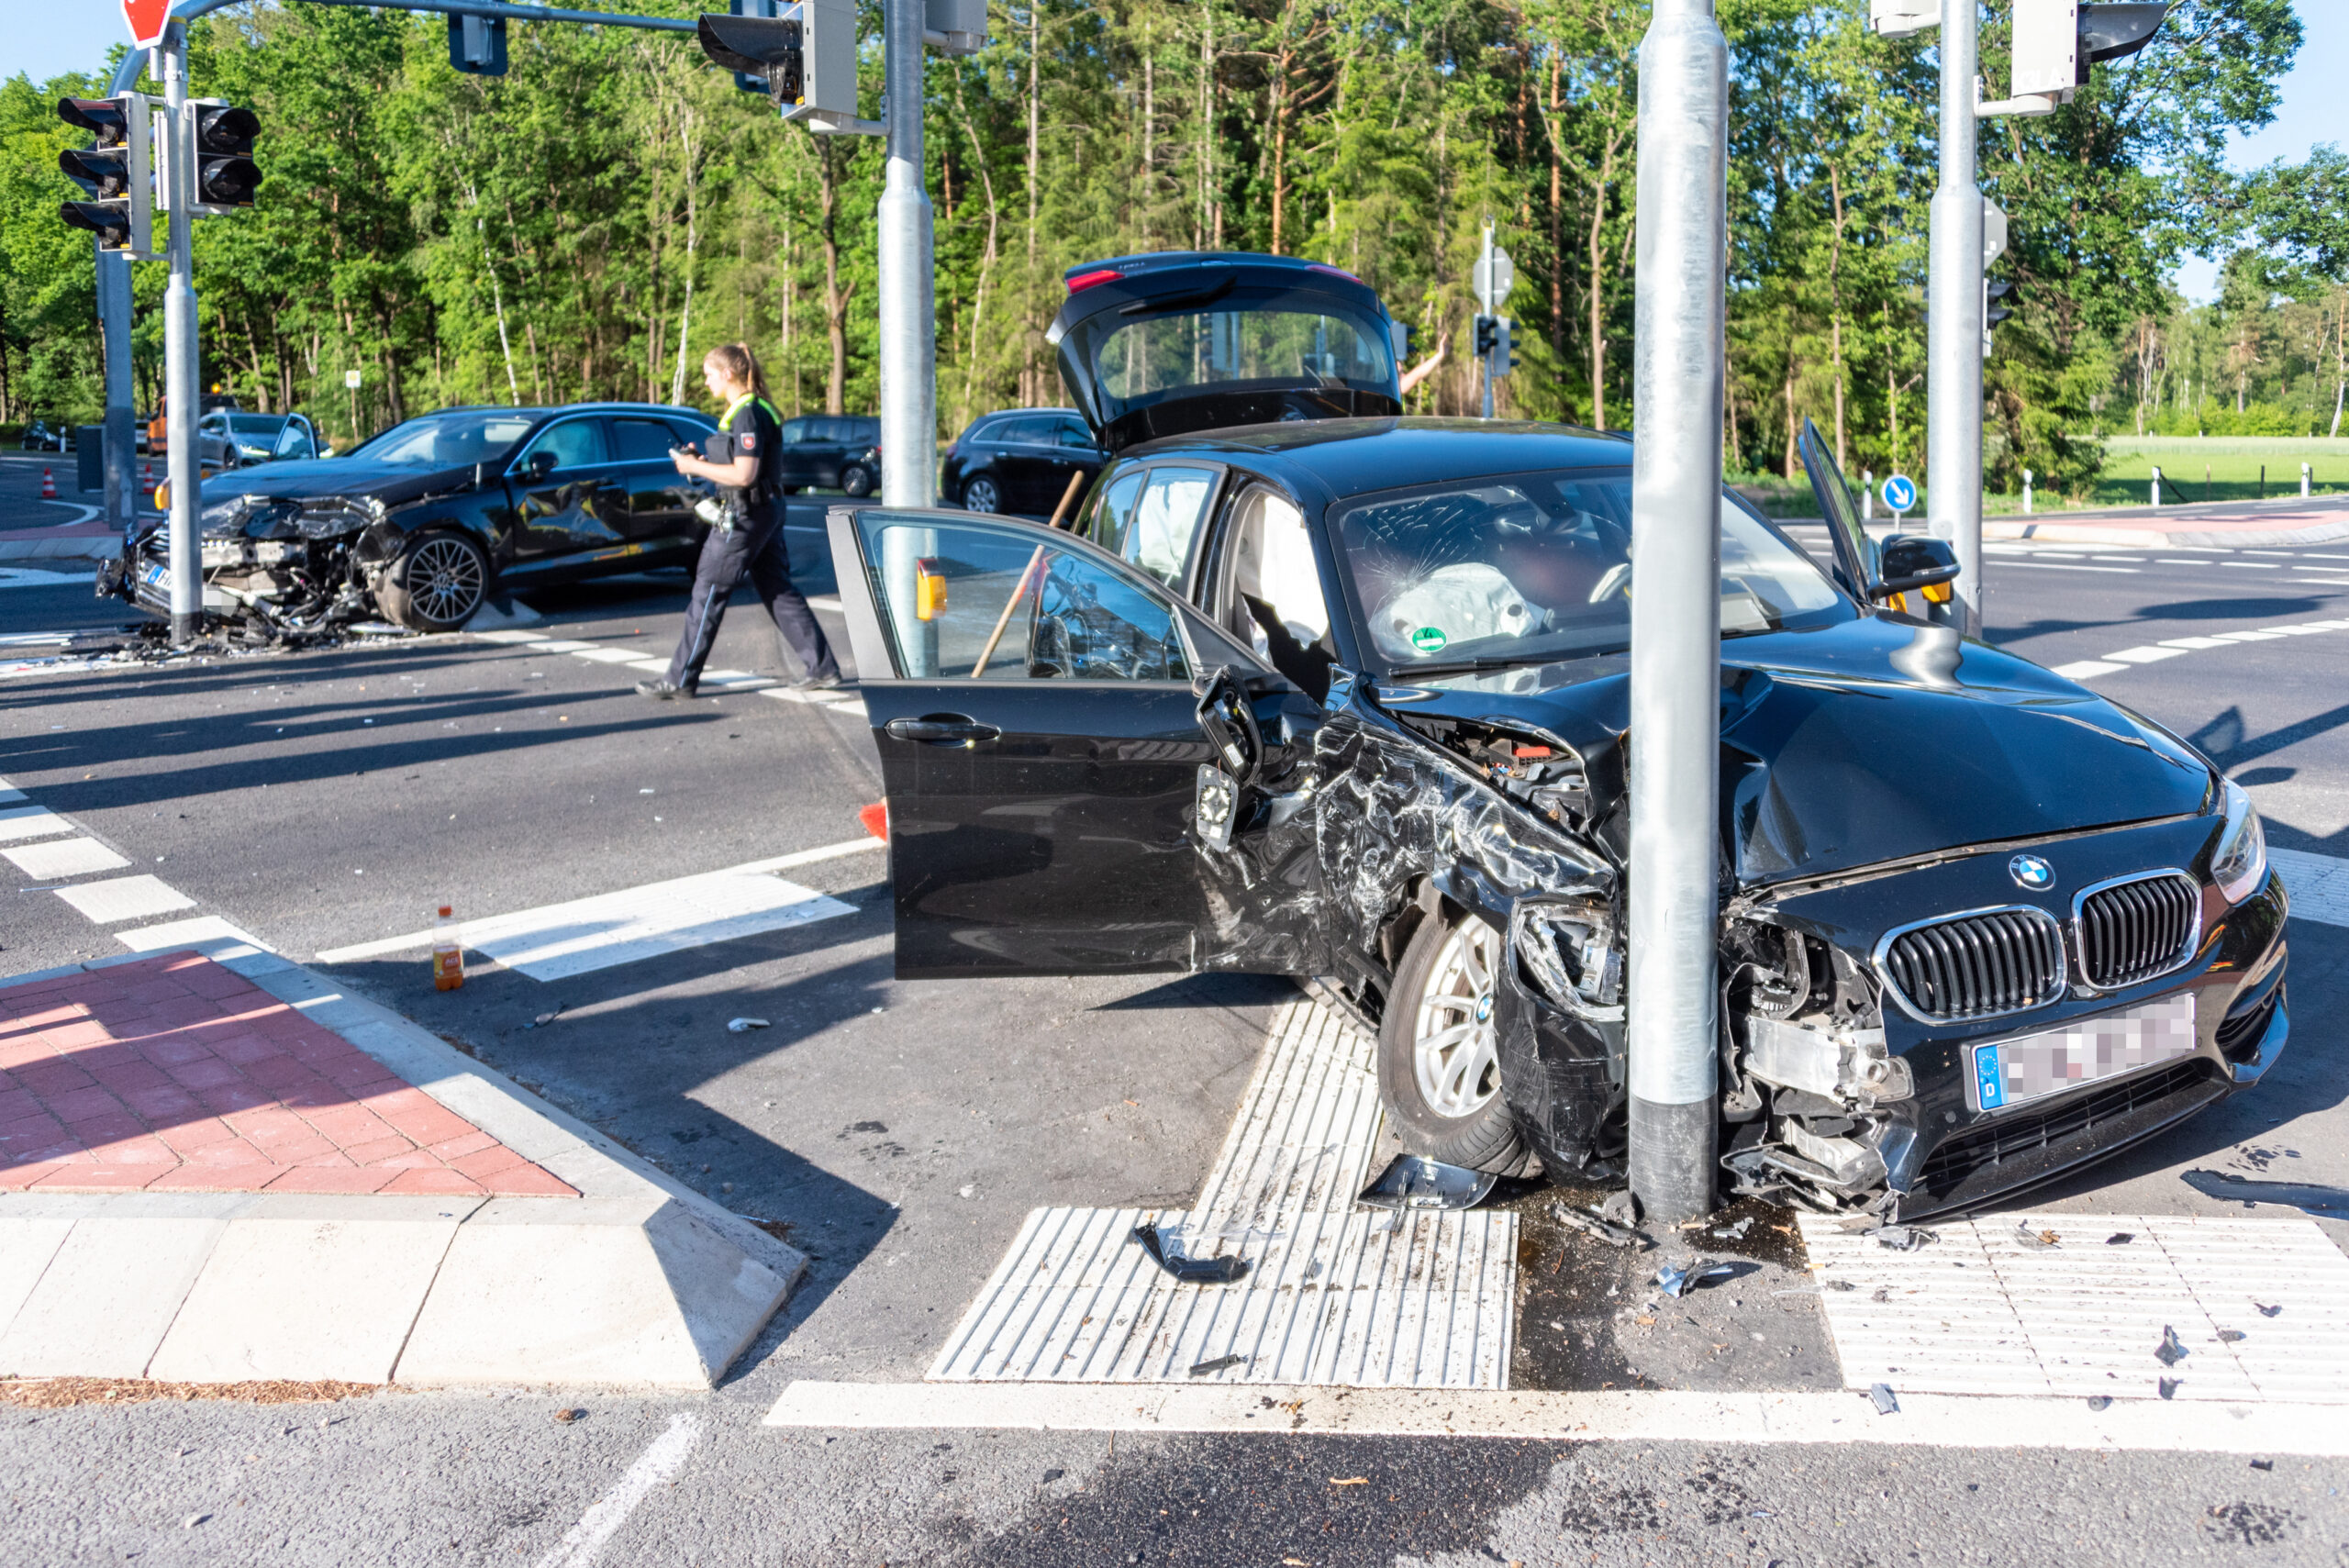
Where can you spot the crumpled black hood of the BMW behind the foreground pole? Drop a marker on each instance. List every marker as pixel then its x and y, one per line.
pixel 1869 743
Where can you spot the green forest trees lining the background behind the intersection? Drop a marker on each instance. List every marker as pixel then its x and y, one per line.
pixel 610 210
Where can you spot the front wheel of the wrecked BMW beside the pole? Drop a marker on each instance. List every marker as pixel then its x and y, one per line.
pixel 1439 1065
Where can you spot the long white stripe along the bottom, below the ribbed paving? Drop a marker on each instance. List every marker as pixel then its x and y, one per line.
pixel 1645 1417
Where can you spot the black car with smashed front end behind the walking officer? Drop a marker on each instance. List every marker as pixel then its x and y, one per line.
pixel 429 520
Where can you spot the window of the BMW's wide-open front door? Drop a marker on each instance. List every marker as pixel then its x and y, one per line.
pixel 997 604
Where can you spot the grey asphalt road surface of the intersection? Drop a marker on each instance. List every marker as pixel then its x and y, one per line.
pixel 903 1130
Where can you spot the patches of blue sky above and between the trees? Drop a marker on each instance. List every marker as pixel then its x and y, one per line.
pixel 51 36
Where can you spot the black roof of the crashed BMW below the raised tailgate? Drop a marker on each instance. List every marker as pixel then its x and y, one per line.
pixel 1387 454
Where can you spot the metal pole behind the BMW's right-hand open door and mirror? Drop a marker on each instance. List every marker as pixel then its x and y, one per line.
pixel 1956 304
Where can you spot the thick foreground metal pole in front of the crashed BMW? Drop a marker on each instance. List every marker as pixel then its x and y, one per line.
pixel 1676 635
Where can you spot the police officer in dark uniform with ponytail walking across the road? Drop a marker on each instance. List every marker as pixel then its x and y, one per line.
pixel 748 541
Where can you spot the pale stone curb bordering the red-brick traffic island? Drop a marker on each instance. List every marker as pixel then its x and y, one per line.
pixel 638 1283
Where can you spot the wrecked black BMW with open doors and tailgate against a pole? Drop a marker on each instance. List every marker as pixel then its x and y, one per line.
pixel 1347 698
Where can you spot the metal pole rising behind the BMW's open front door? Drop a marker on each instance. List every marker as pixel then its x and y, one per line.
pixel 908 339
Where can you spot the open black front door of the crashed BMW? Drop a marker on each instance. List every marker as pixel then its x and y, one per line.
pixel 1082 773
